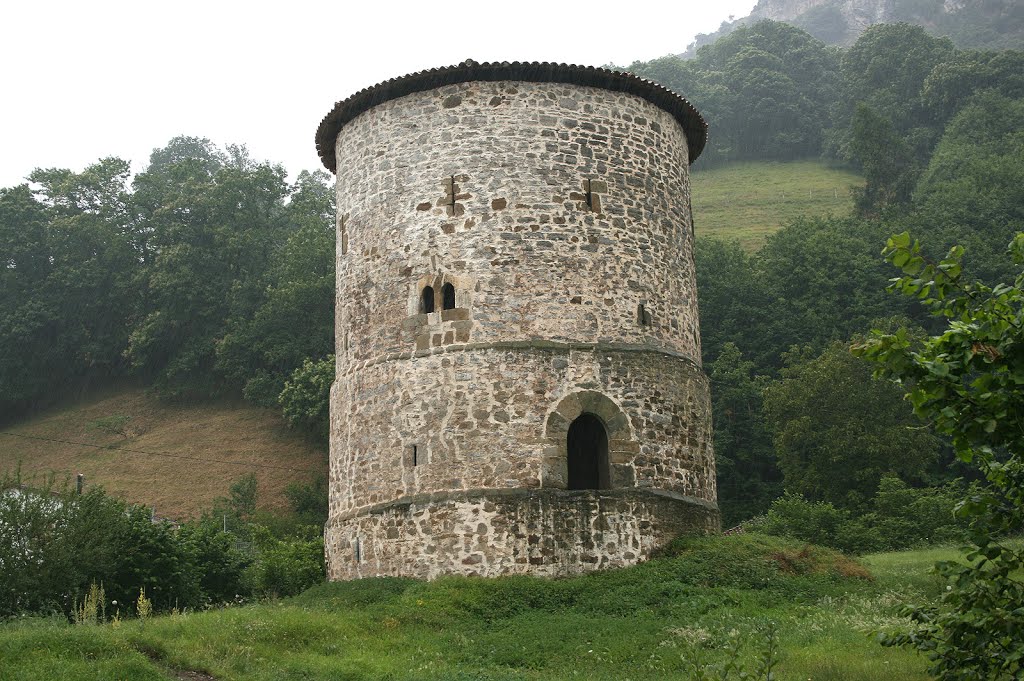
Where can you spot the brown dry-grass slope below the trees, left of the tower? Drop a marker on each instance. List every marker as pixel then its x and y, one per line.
pixel 172 457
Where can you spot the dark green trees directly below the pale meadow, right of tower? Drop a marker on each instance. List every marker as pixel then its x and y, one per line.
pixel 816 281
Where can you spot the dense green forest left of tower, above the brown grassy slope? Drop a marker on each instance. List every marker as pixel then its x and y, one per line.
pixel 207 275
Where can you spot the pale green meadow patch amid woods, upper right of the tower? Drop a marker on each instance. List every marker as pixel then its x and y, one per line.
pixel 749 201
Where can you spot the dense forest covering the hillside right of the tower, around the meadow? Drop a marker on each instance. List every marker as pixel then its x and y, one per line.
pixel 938 135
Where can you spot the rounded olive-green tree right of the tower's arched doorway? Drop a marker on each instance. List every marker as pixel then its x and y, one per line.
pixel 838 431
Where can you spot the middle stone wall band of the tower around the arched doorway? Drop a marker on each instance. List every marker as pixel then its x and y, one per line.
pixel 484 419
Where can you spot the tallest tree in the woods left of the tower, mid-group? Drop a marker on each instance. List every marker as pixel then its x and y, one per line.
pixel 216 222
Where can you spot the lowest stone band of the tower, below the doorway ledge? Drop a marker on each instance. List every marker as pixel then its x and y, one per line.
pixel 489 533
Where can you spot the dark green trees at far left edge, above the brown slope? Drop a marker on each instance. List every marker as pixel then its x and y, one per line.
pixel 68 281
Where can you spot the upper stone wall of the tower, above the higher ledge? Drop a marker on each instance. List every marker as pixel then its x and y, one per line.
pixel 528 257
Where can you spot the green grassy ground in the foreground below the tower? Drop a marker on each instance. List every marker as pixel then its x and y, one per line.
pixel 663 620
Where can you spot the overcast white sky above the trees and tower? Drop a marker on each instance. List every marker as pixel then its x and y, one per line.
pixel 86 80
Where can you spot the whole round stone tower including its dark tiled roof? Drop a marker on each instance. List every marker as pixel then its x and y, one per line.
pixel 519 382
